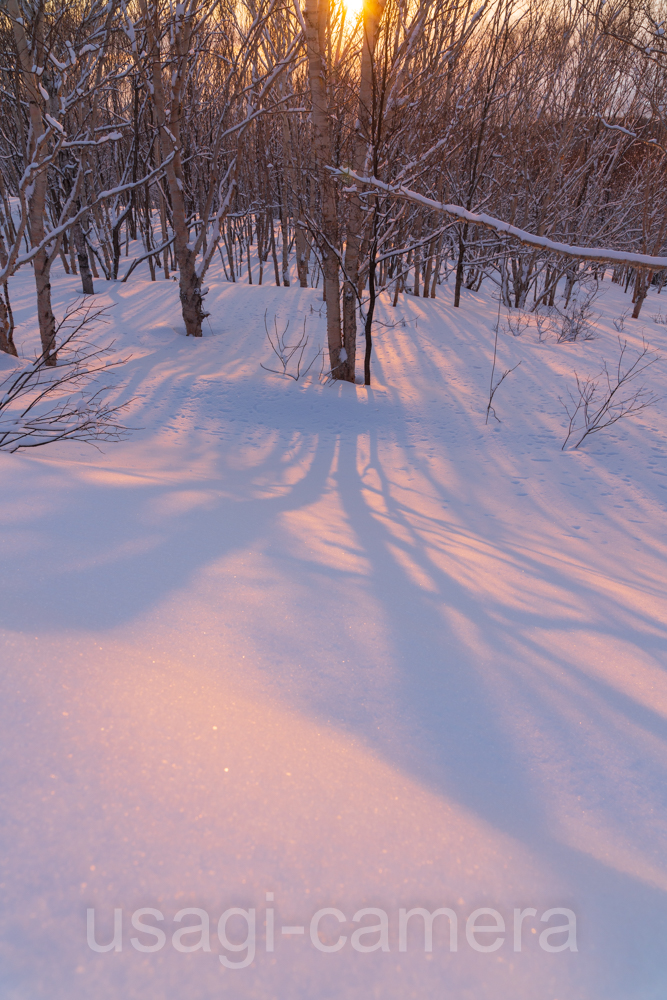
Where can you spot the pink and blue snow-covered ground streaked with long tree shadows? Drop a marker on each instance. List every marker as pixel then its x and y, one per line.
pixel 351 647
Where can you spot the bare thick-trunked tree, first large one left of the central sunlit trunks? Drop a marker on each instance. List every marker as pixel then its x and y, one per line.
pixel 189 33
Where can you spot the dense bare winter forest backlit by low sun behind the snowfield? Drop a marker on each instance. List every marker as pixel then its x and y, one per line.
pixel 385 145
